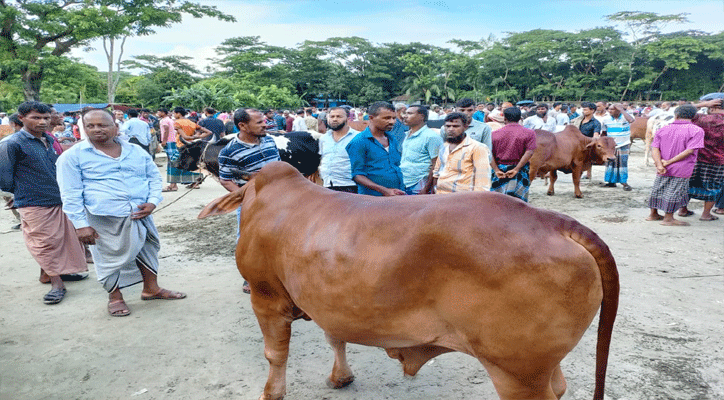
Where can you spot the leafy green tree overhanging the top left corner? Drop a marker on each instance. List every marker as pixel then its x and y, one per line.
pixel 33 33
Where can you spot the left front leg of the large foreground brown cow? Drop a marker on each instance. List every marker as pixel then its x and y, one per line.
pixel 276 326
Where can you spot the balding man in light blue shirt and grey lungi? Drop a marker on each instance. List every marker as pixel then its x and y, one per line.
pixel 109 189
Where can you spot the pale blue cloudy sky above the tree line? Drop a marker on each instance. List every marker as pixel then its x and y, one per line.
pixel 290 22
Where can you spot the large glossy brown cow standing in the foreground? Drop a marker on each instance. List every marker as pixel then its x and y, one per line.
pixel 479 273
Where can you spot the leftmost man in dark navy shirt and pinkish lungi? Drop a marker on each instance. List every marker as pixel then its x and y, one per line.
pixel 27 169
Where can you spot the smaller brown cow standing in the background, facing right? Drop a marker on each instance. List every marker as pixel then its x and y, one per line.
pixel 569 151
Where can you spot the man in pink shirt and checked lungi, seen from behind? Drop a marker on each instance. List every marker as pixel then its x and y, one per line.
pixel 674 149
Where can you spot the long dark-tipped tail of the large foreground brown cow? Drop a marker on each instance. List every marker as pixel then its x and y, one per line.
pixel 609 305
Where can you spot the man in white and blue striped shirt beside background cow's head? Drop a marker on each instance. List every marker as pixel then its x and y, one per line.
pixel 617 126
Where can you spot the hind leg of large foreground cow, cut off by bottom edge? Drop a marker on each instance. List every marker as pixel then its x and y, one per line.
pixel 515 387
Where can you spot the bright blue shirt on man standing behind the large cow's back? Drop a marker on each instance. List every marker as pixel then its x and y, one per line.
pixel 382 166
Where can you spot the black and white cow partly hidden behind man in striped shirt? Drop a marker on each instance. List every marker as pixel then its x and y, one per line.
pixel 299 148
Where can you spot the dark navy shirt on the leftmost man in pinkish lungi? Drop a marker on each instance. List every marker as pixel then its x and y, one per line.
pixel 27 169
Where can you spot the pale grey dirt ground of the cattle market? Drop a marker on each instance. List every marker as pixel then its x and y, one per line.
pixel 667 341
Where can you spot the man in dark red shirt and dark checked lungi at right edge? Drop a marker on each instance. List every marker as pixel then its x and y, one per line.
pixel 708 178
